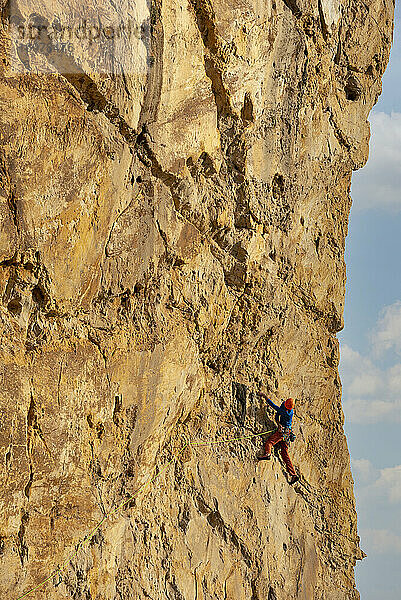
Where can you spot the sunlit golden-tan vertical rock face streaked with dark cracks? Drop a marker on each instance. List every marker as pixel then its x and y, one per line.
pixel 173 218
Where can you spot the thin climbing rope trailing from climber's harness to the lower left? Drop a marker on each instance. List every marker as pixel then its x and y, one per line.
pixel 86 540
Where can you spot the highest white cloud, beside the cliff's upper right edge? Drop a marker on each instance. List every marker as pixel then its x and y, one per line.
pixel 378 184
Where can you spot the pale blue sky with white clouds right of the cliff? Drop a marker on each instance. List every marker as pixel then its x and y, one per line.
pixel 370 365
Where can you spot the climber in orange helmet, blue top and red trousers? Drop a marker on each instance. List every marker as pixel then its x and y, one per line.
pixel 282 435
